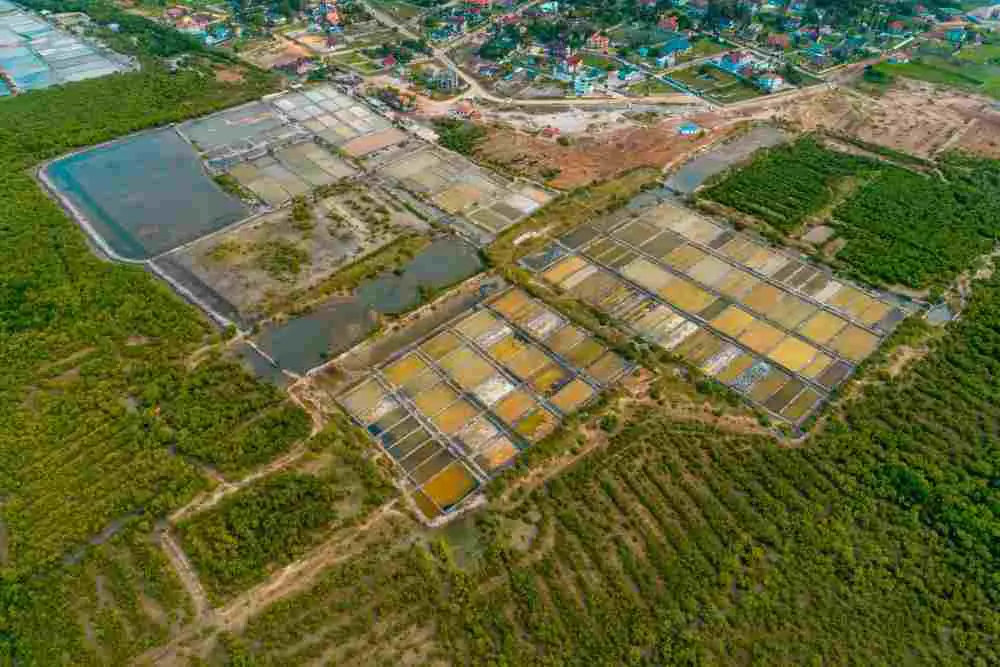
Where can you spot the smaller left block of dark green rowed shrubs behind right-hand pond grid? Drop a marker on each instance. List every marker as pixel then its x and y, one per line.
pixel 785 185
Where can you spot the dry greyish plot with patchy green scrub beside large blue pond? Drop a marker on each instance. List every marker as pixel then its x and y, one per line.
pixel 270 259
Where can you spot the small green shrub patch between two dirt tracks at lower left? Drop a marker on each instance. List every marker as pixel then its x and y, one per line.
pixel 234 544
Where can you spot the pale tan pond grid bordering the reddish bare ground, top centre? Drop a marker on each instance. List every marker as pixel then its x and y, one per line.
pixel 459 187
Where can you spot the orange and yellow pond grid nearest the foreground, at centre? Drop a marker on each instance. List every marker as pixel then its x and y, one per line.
pixel 458 406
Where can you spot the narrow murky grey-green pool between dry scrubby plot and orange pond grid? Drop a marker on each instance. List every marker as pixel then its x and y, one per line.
pixel 309 340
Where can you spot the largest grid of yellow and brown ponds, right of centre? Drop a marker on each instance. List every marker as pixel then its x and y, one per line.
pixel 781 332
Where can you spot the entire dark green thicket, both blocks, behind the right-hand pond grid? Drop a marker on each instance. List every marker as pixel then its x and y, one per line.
pixel 902 227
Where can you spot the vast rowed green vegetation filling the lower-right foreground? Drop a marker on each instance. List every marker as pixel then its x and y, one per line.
pixel 682 544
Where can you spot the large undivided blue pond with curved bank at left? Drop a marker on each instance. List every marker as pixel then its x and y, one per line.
pixel 144 195
